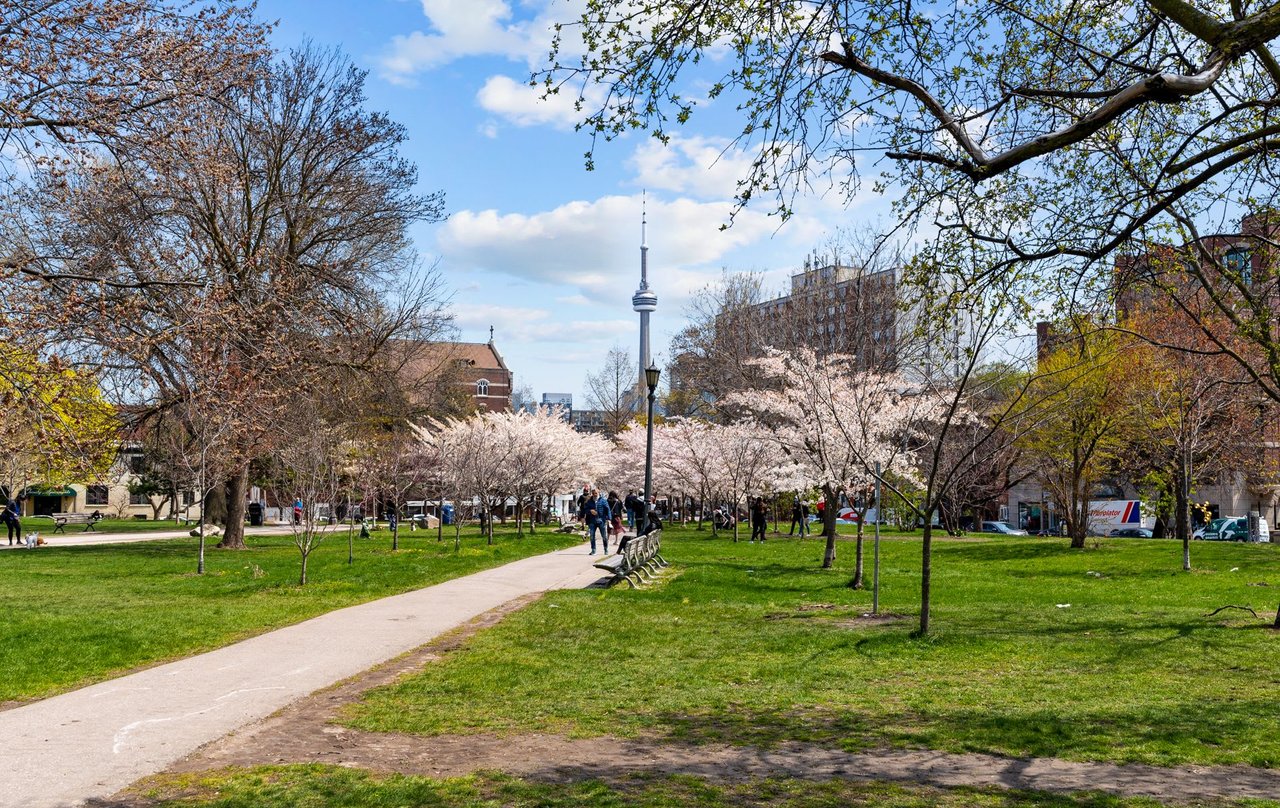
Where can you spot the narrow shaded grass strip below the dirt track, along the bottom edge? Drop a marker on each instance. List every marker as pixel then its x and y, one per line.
pixel 308 787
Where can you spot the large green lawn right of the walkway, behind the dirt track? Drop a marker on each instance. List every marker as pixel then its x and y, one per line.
pixel 755 645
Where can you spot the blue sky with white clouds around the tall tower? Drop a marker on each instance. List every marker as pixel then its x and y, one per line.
pixel 538 248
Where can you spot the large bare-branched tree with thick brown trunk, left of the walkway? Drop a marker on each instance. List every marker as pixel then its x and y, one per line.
pixel 289 203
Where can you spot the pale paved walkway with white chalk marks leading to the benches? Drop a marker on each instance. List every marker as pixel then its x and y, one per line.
pixel 94 742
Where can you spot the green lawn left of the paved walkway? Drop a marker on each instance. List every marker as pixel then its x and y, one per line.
pixel 75 615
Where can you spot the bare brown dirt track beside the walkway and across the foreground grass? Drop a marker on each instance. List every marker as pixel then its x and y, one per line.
pixel 303 734
